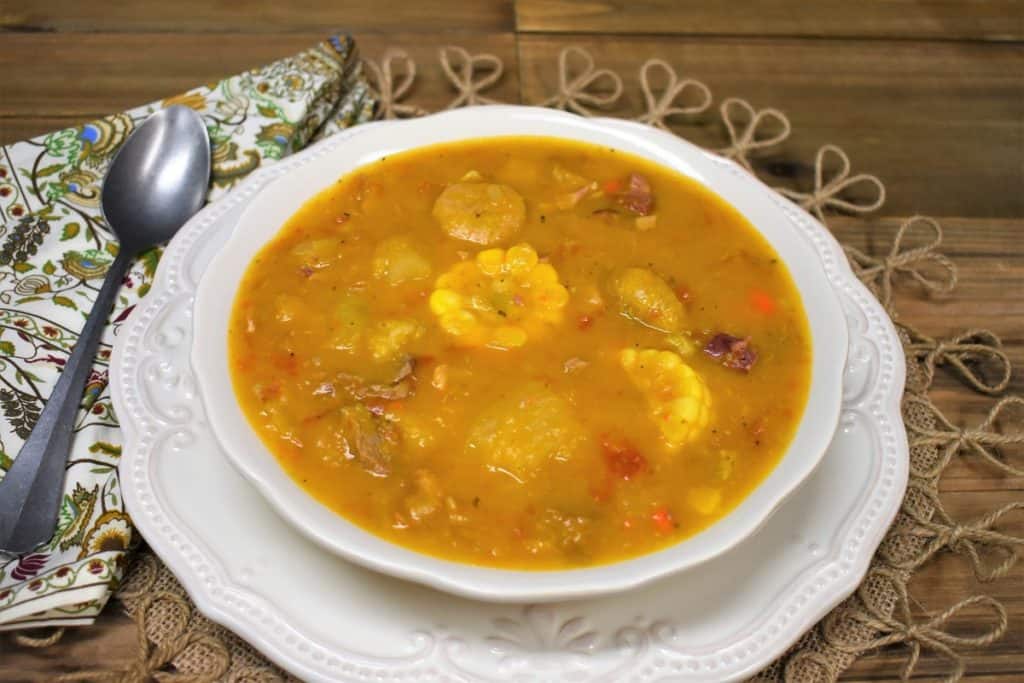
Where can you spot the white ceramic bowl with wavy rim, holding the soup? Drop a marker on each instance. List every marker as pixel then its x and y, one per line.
pixel 797 239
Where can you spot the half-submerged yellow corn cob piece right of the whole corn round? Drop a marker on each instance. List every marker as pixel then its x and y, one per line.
pixel 678 399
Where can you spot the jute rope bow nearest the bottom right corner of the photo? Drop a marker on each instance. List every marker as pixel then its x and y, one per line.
pixel 902 627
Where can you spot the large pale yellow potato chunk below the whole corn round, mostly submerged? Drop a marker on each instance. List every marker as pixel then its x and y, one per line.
pixel 522 434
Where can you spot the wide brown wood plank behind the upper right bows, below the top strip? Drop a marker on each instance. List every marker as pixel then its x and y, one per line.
pixel 942 123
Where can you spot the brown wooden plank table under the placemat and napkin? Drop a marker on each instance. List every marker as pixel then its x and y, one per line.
pixel 929 96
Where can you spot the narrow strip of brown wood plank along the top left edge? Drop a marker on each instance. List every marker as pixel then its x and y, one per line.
pixel 258 17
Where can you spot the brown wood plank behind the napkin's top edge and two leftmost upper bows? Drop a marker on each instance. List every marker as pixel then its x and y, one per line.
pixel 98 74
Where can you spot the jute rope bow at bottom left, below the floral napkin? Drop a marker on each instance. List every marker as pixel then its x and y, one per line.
pixel 153 658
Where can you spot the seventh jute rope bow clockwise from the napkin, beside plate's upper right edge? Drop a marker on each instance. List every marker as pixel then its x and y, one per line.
pixel 878 273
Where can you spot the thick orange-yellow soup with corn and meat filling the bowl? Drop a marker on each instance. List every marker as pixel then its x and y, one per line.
pixel 522 353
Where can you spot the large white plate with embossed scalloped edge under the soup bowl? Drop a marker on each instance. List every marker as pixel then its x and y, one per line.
pixel 324 619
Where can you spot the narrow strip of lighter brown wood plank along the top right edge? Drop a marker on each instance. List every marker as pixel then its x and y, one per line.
pixel 993 20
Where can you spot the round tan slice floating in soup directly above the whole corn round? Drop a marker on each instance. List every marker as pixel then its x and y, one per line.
pixel 484 214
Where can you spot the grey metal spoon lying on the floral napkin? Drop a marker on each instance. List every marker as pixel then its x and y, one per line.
pixel 157 182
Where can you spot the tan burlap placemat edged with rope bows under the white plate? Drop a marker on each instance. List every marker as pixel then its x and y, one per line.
pixel 178 644
